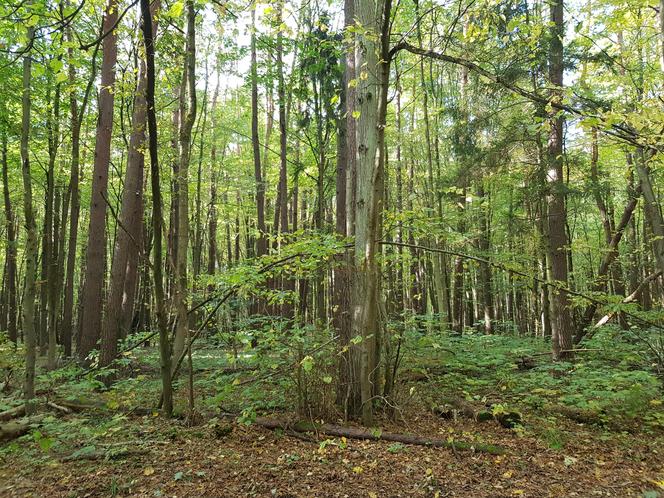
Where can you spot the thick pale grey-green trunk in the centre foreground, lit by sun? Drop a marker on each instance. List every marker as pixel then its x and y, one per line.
pixel 371 103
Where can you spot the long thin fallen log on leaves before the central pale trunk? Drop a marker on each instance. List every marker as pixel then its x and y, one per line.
pixel 376 435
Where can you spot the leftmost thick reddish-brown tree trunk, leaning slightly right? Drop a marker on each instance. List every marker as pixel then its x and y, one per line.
pixel 95 254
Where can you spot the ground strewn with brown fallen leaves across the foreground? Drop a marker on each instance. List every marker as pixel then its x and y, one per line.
pixel 172 460
